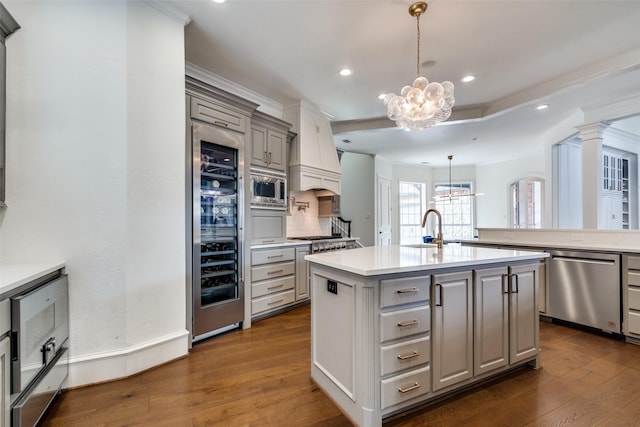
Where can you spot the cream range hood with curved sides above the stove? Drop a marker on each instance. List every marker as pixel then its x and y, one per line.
pixel 313 159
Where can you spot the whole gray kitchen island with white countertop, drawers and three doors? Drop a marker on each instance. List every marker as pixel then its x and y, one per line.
pixel 394 327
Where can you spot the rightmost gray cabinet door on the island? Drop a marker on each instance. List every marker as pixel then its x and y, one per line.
pixel 524 312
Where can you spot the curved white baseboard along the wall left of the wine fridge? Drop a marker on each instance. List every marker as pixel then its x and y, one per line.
pixel 112 365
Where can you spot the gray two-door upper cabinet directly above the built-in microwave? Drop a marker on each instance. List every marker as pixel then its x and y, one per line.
pixel 269 142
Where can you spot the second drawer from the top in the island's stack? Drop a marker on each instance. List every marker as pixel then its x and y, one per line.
pixel 404 323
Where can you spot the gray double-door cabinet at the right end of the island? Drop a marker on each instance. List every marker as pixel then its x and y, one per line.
pixel 505 324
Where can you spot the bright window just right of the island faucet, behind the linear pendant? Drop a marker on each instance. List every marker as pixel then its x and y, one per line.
pixel 455 203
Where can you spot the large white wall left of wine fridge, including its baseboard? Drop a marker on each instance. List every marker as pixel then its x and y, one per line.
pixel 95 174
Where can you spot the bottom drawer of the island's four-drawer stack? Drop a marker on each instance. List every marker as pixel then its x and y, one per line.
pixel 404 387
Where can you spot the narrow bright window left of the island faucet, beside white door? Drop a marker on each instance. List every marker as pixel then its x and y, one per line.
pixel 412 206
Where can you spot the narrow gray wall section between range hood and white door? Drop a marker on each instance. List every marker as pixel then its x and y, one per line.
pixel 357 201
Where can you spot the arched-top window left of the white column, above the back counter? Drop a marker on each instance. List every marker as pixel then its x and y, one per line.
pixel 526 203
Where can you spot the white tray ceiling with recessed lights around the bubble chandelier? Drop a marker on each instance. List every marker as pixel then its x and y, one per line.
pixel 568 54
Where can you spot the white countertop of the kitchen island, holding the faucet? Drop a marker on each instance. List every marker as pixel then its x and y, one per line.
pixel 377 260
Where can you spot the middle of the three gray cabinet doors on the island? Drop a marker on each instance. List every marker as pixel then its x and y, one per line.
pixel 491 317
